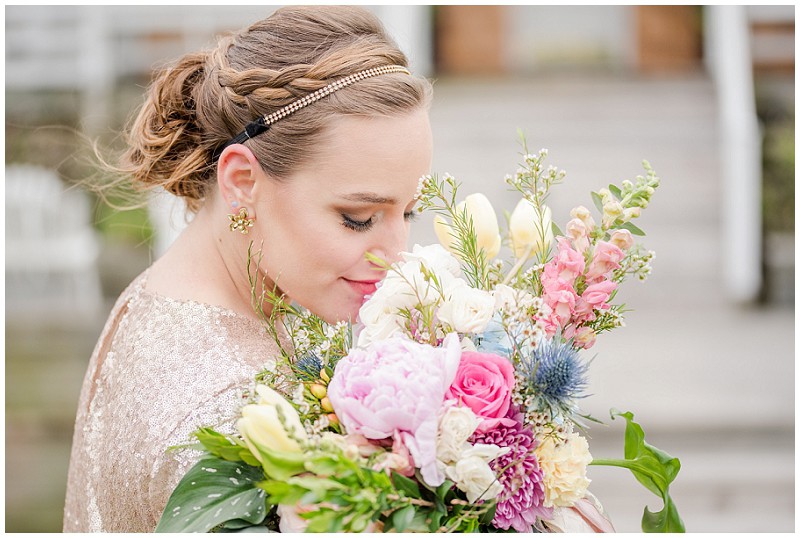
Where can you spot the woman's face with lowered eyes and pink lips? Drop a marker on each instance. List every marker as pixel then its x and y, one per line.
pixel 355 196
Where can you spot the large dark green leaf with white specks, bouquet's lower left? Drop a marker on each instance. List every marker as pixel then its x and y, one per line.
pixel 214 492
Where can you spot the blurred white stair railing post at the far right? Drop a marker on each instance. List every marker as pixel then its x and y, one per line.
pixel 730 62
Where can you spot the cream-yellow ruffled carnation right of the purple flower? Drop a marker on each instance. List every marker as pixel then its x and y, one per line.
pixel 564 465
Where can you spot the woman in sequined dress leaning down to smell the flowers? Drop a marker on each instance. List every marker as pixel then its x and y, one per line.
pixel 304 134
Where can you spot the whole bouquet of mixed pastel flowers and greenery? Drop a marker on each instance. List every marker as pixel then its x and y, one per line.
pixel 452 405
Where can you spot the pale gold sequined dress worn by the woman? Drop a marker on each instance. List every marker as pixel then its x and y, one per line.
pixel 161 369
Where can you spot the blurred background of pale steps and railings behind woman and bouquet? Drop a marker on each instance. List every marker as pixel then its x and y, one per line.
pixel 704 93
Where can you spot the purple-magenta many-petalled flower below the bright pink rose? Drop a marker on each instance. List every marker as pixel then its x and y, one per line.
pixel 522 497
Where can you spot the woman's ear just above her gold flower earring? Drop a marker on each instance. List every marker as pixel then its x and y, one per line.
pixel 237 173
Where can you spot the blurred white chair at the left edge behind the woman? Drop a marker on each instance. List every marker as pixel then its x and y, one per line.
pixel 51 247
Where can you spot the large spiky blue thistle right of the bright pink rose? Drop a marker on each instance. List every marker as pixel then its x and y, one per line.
pixel 554 375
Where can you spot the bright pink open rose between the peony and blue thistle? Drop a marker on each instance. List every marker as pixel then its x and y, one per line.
pixel 484 383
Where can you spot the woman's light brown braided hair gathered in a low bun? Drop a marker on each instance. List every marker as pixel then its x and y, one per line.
pixel 208 97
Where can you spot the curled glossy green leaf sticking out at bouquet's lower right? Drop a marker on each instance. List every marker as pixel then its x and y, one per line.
pixel 655 470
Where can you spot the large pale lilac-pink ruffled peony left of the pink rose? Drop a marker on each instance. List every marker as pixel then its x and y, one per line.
pixel 396 387
